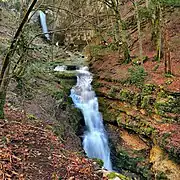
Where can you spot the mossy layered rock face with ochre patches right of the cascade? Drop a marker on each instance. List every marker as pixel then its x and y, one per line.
pixel 143 126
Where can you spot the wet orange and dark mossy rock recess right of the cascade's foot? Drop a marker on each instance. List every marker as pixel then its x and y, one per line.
pixel 130 153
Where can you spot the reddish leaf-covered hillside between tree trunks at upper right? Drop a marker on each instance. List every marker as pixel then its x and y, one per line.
pixel 110 65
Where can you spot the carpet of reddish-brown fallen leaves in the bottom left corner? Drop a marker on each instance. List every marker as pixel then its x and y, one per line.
pixel 30 150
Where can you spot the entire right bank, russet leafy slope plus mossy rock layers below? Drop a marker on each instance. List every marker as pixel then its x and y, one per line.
pixel 141 104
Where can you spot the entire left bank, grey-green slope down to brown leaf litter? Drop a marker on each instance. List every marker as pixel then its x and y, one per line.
pixel 38 135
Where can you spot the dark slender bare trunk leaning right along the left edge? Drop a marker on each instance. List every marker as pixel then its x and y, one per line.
pixel 4 79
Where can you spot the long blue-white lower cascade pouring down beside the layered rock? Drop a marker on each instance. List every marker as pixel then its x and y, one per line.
pixel 95 141
